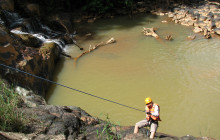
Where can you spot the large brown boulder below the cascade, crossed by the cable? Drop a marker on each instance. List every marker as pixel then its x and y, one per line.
pixel 37 61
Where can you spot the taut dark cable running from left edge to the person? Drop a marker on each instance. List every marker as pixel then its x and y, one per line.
pixel 71 88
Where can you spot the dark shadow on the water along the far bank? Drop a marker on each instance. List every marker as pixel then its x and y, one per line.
pixel 117 23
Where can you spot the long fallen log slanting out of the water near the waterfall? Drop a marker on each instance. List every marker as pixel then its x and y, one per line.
pixel 110 41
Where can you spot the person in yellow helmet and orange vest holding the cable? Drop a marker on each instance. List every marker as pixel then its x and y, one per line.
pixel 152 117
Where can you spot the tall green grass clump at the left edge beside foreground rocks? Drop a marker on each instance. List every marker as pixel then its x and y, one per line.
pixel 10 118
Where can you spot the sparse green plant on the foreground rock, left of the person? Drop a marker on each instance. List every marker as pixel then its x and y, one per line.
pixel 107 131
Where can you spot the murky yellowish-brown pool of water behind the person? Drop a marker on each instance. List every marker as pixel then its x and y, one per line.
pixel 182 76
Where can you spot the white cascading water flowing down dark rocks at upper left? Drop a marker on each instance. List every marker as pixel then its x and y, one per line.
pixel 33 26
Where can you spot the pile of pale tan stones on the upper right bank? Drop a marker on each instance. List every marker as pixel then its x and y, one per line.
pixel 205 18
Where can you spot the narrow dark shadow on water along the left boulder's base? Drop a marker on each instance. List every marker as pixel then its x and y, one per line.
pixel 59 67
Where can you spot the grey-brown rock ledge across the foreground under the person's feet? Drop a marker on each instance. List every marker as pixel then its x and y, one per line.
pixel 69 122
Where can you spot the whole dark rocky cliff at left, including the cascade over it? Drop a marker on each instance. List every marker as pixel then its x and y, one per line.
pixel 28 45
